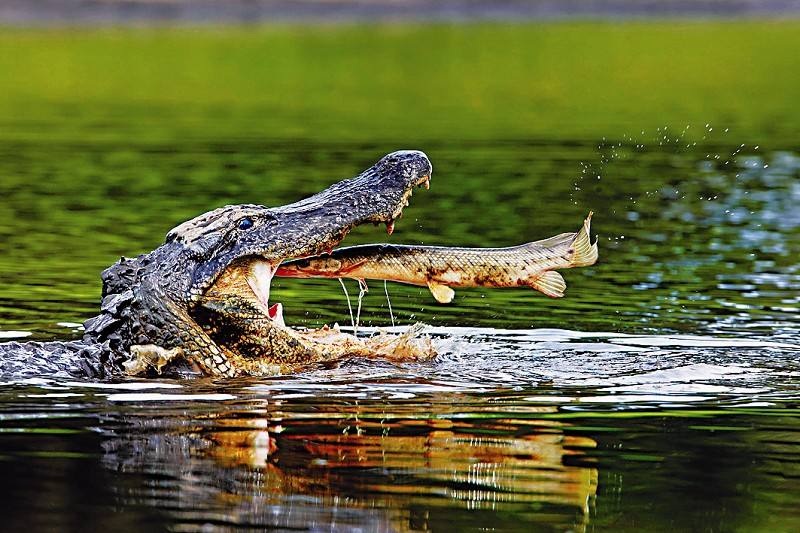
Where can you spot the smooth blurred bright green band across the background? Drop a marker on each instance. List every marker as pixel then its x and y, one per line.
pixel 405 83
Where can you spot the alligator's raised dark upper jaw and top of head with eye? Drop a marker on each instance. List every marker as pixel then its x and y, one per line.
pixel 216 240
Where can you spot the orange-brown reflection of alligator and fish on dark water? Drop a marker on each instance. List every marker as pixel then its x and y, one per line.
pixel 364 468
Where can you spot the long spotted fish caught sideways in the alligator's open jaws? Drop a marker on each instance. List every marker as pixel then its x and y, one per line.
pixel 439 268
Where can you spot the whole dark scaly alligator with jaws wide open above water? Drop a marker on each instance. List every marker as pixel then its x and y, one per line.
pixel 199 303
